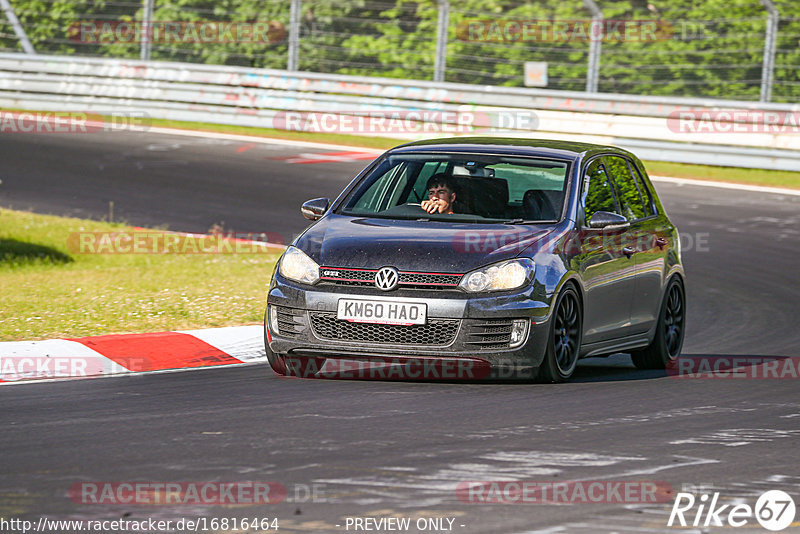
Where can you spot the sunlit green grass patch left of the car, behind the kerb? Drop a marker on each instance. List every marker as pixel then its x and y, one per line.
pixel 52 290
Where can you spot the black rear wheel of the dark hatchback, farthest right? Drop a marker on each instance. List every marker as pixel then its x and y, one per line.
pixel 668 340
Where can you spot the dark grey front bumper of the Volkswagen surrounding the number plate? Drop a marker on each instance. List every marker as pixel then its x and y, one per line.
pixel 460 341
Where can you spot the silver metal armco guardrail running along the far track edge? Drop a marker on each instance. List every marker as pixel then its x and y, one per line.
pixel 256 97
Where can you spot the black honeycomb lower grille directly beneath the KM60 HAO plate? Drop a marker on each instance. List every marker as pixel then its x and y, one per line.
pixel 436 332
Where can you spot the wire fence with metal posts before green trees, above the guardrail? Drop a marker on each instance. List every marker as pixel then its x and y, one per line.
pixel 739 49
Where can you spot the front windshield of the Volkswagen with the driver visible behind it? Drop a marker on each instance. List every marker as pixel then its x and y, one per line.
pixel 468 187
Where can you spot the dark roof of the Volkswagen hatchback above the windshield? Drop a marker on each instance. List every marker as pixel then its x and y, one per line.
pixel 510 145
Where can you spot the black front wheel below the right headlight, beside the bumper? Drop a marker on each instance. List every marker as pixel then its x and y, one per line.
pixel 564 343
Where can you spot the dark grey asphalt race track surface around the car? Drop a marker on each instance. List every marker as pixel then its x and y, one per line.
pixel 380 449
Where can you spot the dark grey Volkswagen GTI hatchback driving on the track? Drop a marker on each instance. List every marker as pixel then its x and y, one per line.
pixel 548 252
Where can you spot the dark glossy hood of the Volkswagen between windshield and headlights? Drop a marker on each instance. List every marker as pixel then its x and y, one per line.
pixel 424 246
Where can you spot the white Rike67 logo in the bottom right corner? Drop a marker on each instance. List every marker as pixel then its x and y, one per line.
pixel 774 510
